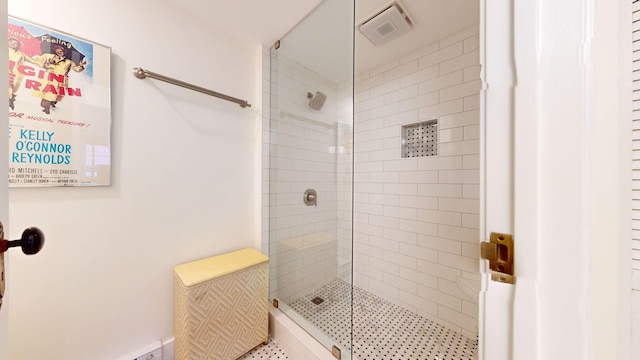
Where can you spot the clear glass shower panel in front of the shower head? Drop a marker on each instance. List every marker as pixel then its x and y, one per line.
pixel 310 174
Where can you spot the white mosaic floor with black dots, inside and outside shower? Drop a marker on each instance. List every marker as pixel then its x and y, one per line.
pixel 382 331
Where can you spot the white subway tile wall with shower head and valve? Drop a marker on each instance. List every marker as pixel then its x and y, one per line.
pixel 309 246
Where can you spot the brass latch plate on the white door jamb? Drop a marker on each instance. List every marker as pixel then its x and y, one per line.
pixel 499 251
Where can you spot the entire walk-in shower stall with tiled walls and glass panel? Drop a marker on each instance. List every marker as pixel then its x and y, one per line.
pixel 392 152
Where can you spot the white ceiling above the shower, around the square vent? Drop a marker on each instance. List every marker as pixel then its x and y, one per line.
pixel 320 41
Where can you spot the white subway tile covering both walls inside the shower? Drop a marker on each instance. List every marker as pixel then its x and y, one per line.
pixel 415 220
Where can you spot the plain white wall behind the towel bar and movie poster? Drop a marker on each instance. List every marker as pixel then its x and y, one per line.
pixel 183 185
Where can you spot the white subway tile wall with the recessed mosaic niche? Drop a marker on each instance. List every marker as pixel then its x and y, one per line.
pixel 416 220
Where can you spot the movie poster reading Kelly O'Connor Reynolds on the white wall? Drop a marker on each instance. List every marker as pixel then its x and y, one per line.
pixel 59 108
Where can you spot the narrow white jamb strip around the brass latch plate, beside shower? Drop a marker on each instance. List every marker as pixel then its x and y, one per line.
pixel 496 175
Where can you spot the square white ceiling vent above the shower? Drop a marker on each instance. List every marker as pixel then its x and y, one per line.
pixel 387 25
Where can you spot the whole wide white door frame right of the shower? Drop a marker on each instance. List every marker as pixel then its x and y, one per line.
pixel 561 124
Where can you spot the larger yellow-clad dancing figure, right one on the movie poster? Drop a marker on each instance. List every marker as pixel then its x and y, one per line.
pixel 58 67
